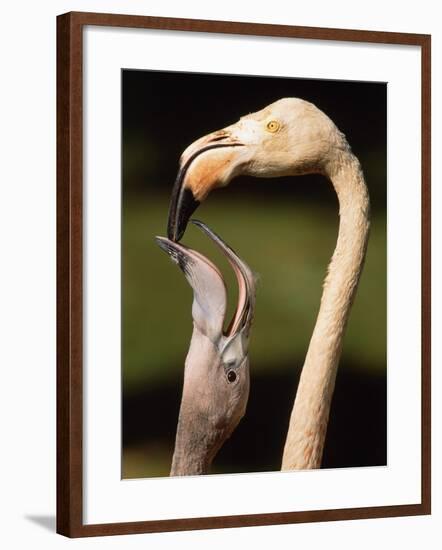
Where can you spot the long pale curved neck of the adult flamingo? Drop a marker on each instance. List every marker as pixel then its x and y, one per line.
pixel 308 423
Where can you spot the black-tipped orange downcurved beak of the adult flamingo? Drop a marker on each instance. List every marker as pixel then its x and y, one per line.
pixel 189 189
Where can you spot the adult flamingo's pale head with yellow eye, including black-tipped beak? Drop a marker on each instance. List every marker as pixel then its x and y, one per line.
pixel 288 137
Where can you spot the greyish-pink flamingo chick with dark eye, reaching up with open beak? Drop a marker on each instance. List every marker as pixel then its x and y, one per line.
pixel 216 374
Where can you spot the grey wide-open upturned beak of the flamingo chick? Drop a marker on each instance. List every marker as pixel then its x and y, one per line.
pixel 210 297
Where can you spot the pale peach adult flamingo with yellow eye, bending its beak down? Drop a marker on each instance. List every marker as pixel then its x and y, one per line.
pixel 292 137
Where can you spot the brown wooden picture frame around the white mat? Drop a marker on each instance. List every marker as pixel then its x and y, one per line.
pixel 70 265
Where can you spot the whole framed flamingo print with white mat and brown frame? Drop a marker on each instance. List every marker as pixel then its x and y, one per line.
pixel 277 370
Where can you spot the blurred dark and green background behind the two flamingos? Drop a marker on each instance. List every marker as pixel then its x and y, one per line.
pixel 286 230
